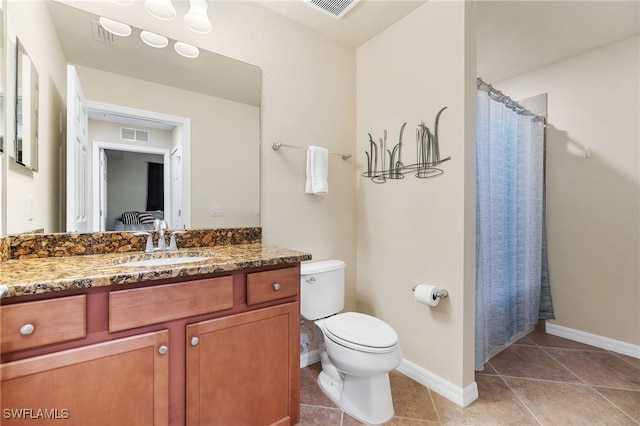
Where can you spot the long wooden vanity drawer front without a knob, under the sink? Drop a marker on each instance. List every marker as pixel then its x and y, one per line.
pixel 151 305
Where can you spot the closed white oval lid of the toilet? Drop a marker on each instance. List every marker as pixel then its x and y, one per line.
pixel 361 330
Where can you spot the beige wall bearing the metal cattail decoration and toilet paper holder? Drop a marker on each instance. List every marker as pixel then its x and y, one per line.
pixel 420 230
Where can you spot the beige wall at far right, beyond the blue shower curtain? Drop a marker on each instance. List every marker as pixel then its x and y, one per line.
pixel 593 205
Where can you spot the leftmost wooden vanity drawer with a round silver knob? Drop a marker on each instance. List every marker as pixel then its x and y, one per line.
pixel 30 324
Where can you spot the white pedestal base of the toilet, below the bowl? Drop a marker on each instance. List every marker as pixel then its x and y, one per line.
pixel 367 399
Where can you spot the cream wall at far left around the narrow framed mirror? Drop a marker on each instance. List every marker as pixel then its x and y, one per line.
pixel 30 23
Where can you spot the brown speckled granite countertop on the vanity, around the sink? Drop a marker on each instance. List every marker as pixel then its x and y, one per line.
pixel 51 274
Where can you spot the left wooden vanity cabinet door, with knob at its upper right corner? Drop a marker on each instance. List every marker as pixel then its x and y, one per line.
pixel 121 382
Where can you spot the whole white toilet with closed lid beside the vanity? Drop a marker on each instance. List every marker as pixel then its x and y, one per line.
pixel 358 350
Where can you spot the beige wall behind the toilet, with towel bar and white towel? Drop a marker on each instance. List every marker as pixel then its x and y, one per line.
pixel 308 98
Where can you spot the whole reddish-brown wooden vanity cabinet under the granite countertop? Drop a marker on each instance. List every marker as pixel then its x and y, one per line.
pixel 221 350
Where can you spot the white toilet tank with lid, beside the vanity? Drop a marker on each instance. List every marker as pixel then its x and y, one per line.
pixel 321 288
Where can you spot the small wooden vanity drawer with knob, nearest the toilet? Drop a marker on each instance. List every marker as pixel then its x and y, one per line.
pixel 272 285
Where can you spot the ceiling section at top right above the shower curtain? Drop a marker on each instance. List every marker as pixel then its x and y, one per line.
pixel 514 37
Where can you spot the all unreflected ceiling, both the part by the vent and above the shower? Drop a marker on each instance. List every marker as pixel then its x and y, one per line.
pixel 513 36
